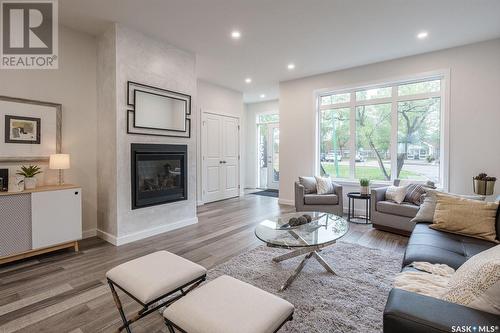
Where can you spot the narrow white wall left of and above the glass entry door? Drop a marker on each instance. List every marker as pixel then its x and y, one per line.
pixel 252 110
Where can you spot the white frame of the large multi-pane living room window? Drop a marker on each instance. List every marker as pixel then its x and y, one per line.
pixel 443 94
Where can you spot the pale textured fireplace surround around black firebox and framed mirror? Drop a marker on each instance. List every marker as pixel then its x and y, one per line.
pixel 124 54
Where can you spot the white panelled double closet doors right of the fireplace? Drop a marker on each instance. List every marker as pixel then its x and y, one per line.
pixel 221 157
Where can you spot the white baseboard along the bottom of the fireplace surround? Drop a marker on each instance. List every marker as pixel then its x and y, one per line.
pixel 125 239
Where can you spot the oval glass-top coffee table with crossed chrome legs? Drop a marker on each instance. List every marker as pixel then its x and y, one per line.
pixel 306 239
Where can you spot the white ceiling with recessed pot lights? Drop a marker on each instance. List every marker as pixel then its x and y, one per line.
pixel 317 35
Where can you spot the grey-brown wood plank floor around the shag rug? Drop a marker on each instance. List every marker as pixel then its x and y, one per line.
pixel 67 291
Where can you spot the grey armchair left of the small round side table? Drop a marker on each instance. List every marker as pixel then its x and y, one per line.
pixel 328 203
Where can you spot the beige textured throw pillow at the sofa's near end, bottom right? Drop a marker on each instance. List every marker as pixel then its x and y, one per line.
pixel 476 283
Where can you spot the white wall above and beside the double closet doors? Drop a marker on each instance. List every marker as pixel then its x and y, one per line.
pixel 216 99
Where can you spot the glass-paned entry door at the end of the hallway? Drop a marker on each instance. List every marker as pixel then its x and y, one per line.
pixel 269 143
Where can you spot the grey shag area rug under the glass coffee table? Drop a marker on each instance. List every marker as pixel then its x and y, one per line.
pixel 352 301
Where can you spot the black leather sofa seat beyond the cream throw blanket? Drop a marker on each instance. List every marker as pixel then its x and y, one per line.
pixel 439 247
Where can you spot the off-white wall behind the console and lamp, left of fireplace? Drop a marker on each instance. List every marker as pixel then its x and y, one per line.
pixel 74 86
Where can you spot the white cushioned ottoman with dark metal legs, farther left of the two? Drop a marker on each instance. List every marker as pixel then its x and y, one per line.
pixel 150 279
